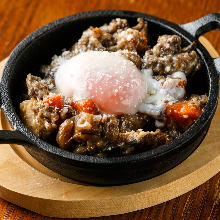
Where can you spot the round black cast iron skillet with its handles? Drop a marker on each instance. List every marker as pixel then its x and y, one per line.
pixel 40 46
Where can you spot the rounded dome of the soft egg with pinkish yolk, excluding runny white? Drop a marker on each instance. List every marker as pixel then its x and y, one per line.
pixel 113 82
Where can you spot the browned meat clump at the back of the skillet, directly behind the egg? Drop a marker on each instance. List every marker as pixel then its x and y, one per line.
pixel 115 36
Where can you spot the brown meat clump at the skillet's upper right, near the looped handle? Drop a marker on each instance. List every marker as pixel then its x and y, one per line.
pixel 167 57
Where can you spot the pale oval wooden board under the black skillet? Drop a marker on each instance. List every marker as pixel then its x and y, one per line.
pixel 27 183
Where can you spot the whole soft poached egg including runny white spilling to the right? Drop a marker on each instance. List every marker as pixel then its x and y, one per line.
pixel 116 85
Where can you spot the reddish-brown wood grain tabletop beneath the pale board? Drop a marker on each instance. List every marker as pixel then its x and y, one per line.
pixel 20 17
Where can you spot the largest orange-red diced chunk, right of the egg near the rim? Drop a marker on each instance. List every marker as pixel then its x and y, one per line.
pixel 182 114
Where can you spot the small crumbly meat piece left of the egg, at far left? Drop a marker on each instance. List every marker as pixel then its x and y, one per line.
pixel 37 87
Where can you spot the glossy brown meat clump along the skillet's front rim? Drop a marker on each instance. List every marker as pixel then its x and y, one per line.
pixel 102 134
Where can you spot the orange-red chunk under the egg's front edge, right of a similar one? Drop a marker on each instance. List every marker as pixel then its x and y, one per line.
pixel 85 105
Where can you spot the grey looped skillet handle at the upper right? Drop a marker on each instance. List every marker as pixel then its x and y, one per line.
pixel 203 25
